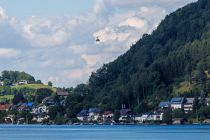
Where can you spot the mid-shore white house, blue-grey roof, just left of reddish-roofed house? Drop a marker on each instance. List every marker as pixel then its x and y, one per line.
pixel 94 114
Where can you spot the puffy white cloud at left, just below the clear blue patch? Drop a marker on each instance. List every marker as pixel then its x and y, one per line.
pixel 42 32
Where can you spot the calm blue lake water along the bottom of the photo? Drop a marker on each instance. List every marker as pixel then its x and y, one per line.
pixel 129 132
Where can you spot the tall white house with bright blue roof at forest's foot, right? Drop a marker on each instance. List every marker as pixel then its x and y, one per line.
pixel 177 103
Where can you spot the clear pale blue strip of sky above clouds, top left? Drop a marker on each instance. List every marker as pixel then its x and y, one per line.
pixel 27 8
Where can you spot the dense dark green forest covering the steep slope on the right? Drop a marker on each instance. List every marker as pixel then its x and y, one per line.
pixel 174 60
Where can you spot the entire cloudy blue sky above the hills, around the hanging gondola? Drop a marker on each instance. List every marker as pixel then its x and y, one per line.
pixel 54 40
